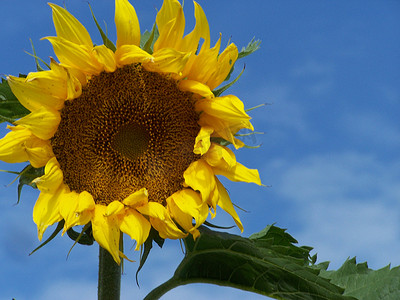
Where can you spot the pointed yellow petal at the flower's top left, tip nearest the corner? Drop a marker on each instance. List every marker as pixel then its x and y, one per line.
pixel 69 28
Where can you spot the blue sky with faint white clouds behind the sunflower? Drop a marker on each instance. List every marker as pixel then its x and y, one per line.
pixel 330 152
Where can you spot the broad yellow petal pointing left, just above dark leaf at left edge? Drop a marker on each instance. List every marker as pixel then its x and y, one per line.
pixel 35 93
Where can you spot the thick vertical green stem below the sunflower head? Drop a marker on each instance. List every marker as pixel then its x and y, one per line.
pixel 109 287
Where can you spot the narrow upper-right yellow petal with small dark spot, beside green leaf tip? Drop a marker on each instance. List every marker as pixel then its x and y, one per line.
pixel 225 63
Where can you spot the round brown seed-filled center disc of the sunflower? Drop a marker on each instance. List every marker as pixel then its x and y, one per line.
pixel 129 129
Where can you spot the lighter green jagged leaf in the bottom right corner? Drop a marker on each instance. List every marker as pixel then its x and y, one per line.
pixel 364 283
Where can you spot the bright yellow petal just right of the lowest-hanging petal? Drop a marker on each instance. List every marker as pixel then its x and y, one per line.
pixel 136 226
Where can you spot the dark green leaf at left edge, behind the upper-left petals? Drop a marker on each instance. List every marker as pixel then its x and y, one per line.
pixel 10 108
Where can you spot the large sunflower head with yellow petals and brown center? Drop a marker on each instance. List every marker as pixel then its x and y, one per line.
pixel 130 136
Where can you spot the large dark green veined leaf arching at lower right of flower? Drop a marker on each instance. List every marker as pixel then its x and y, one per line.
pixel 268 263
